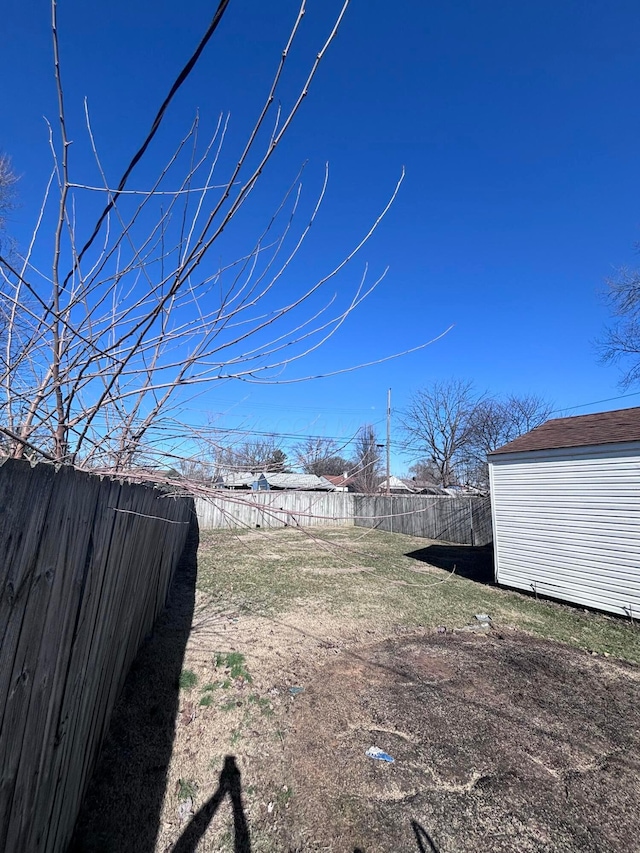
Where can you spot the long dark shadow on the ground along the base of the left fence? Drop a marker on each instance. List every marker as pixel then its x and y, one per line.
pixel 122 806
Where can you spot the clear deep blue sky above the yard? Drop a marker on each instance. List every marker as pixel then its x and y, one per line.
pixel 517 125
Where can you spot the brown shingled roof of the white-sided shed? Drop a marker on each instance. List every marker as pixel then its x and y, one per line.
pixel 579 431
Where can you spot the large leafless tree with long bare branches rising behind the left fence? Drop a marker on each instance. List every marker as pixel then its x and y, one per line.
pixel 134 311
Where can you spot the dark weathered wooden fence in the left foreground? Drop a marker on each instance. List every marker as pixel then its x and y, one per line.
pixel 86 567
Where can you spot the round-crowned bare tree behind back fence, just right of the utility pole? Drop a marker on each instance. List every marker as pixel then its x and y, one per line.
pixel 437 425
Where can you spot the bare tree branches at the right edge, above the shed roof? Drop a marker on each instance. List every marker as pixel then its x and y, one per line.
pixel 621 340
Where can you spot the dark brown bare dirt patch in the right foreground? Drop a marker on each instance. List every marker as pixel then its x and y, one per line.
pixel 500 744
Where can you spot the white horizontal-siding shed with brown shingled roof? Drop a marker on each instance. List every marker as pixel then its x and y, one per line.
pixel 566 511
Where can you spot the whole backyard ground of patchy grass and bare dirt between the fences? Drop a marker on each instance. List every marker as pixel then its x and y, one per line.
pixel 246 720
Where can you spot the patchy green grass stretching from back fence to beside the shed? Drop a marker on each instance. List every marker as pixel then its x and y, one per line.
pixel 368 576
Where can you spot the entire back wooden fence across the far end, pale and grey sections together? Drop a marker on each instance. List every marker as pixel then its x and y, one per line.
pixel 464 520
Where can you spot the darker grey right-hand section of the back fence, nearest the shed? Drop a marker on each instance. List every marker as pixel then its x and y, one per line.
pixel 464 520
